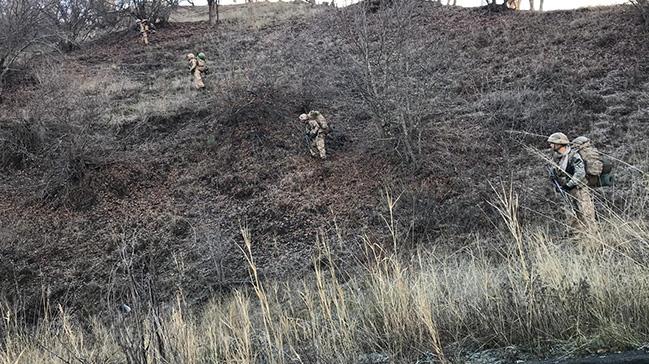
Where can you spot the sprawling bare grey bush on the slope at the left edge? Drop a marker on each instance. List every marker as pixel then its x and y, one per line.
pixel 53 134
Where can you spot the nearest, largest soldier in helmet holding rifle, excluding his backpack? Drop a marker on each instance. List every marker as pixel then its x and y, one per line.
pixel 570 173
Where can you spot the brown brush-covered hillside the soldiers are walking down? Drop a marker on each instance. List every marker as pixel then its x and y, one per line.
pixel 115 171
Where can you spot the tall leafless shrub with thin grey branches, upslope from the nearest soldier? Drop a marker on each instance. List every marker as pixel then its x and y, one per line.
pixel 386 70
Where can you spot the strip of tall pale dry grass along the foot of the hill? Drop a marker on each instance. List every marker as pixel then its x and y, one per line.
pixel 589 292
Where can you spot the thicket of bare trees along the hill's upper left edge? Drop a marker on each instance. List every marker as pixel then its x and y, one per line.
pixel 30 30
